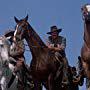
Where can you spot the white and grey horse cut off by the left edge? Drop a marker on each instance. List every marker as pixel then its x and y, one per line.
pixel 4 62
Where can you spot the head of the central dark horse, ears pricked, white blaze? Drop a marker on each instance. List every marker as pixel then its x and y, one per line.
pixel 21 26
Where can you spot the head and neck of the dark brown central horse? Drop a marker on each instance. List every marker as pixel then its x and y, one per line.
pixel 25 31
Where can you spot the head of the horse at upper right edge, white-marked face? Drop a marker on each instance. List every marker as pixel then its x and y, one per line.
pixel 86 12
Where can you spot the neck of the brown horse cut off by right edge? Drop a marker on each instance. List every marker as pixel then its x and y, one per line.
pixel 87 33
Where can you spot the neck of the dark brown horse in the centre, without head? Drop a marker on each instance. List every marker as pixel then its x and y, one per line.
pixel 34 41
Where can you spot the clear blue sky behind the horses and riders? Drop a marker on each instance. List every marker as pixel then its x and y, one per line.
pixel 43 14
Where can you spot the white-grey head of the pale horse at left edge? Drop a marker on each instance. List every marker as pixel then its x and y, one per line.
pixel 4 48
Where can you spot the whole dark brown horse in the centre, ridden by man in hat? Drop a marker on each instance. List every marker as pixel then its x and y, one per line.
pixel 43 66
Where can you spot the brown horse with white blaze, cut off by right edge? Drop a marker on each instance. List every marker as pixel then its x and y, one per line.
pixel 85 50
